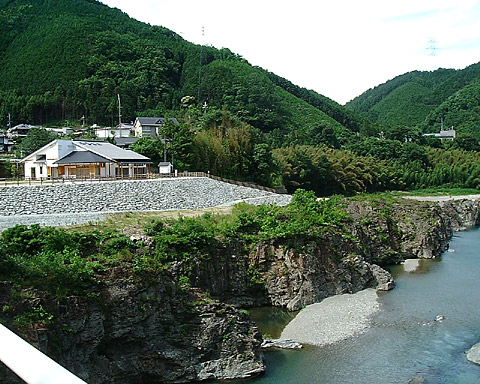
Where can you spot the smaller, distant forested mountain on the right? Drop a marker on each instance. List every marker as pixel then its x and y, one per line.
pixel 422 99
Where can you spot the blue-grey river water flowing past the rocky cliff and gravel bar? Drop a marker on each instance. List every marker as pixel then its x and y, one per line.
pixel 404 344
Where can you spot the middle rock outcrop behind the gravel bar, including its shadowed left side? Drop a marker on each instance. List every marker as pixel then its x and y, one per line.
pixel 286 274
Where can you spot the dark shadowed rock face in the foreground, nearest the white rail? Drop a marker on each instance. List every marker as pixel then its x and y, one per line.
pixel 149 332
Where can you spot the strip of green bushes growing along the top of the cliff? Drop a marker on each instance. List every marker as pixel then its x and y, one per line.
pixel 71 262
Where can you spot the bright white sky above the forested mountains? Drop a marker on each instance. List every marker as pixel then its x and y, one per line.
pixel 339 48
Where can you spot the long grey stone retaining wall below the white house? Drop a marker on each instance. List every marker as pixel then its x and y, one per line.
pixel 138 195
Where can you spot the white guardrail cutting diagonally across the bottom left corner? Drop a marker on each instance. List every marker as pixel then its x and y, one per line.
pixel 30 364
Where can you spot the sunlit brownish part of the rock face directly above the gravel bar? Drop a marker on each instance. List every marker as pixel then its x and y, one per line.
pixel 311 271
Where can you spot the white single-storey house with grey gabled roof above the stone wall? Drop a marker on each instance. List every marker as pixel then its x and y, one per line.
pixel 83 158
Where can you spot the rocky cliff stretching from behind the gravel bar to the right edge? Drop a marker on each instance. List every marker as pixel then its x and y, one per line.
pixel 296 272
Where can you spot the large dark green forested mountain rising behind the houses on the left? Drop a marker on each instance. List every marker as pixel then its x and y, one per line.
pixel 60 60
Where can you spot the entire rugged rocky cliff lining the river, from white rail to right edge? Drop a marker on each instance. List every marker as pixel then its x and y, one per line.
pixel 163 329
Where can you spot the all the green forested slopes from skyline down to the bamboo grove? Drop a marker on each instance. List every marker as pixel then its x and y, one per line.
pixel 61 60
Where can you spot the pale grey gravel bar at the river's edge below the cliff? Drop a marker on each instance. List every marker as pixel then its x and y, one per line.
pixel 334 319
